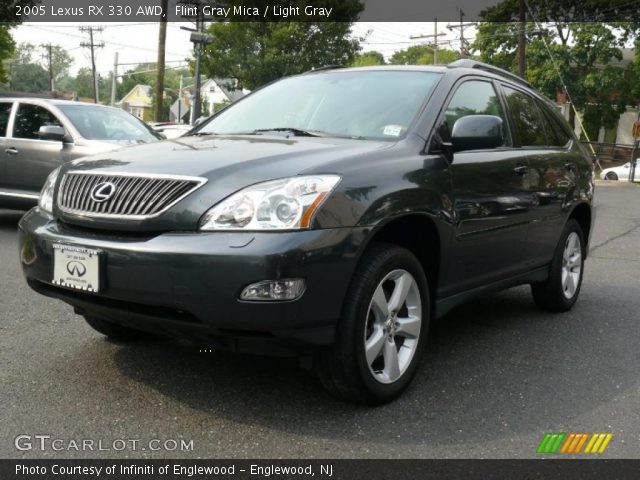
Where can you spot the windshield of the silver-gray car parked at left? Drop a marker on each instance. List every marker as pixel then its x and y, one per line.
pixel 98 123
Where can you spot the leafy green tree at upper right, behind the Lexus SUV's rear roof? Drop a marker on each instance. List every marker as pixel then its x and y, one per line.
pixel 583 53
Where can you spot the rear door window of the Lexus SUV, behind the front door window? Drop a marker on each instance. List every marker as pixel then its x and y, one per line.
pixel 527 118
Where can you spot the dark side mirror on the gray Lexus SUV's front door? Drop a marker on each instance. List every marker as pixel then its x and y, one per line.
pixel 477 132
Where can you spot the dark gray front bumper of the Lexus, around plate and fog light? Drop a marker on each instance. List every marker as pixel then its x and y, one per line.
pixel 188 284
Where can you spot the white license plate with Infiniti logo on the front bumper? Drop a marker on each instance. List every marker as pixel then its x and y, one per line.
pixel 76 267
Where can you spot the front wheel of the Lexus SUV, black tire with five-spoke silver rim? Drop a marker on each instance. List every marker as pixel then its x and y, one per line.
pixel 377 374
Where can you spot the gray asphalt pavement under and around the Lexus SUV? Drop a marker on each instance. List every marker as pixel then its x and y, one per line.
pixel 499 374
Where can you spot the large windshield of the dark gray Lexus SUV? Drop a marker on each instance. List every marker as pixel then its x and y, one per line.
pixel 371 104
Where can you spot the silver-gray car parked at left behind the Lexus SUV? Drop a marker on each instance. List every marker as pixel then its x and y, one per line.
pixel 39 135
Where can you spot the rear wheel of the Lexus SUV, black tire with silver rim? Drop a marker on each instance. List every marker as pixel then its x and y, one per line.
pixel 560 291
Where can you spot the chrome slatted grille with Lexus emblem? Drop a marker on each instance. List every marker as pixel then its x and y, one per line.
pixel 129 196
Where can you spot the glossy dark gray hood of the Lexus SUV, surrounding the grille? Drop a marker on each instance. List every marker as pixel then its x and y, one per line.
pixel 227 163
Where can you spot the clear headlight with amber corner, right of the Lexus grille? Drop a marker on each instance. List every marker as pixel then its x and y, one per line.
pixel 285 204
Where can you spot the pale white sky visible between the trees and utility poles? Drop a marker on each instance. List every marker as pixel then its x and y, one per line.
pixel 137 42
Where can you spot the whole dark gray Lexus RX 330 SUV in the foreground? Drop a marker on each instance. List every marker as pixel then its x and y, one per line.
pixel 331 215
